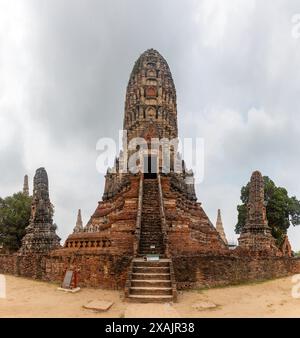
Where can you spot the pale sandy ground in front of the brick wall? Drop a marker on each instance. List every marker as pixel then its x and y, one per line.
pixel 27 298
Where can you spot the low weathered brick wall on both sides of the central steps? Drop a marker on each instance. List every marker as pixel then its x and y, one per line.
pixel 109 271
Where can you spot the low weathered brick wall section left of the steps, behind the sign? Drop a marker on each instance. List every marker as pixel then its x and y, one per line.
pixel 94 270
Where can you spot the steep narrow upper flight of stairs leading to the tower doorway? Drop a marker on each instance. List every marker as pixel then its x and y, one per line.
pixel 151 238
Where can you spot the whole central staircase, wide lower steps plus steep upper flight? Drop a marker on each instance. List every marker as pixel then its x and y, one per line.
pixel 151 281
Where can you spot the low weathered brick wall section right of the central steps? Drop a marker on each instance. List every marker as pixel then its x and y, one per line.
pixel 213 270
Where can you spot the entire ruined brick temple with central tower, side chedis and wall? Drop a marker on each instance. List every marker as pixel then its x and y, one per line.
pixel 149 213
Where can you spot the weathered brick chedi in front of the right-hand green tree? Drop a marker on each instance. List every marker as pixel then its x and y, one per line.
pixel 256 234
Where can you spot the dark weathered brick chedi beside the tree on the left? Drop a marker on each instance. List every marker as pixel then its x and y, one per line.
pixel 41 234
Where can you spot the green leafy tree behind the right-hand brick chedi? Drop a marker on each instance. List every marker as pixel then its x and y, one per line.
pixel 282 210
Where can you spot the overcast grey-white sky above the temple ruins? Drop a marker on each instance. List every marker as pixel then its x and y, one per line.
pixel 64 67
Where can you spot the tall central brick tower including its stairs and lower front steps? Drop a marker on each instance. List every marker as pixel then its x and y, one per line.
pixel 149 208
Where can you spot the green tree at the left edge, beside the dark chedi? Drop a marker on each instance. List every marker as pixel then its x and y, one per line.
pixel 14 217
